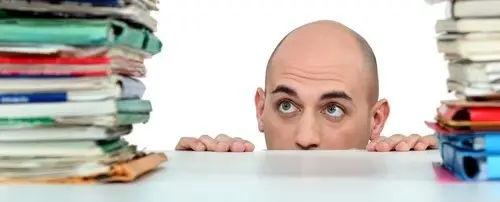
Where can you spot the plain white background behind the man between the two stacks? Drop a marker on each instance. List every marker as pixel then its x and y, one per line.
pixel 215 54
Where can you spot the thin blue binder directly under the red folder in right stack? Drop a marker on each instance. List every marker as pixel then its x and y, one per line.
pixel 486 141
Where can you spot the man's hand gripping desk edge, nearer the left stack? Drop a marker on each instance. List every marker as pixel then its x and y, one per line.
pixel 222 143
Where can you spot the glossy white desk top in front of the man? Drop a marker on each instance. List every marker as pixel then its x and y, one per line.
pixel 283 176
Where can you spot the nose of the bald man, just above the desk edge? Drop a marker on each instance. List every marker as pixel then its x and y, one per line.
pixel 308 136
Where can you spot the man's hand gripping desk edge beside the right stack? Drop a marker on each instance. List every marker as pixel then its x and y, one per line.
pixel 403 143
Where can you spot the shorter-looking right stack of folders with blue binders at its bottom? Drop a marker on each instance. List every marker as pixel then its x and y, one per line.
pixel 468 127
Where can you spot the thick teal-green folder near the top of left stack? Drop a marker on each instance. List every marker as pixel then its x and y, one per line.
pixel 77 32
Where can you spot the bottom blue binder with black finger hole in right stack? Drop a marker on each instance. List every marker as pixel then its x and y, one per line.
pixel 470 165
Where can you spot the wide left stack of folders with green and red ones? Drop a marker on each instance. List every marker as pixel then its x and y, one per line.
pixel 69 89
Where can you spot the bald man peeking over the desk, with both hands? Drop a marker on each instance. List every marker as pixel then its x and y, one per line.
pixel 321 93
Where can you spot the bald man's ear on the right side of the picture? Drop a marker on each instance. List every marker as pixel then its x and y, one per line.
pixel 380 113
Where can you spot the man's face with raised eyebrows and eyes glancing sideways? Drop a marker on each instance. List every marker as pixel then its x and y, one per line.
pixel 317 98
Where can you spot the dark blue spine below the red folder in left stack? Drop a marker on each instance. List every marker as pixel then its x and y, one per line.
pixel 16 98
